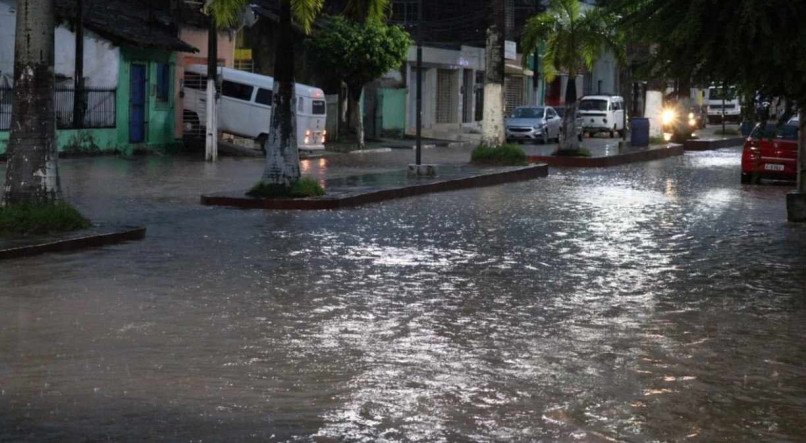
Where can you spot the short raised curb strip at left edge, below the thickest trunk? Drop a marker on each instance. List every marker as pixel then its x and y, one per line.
pixel 91 238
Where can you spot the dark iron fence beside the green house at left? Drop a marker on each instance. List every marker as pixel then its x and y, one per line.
pixel 100 111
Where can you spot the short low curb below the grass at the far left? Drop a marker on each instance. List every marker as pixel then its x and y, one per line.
pixel 74 244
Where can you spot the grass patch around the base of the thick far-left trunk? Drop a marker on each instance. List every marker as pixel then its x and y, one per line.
pixel 37 219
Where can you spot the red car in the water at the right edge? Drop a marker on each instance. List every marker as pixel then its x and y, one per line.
pixel 771 152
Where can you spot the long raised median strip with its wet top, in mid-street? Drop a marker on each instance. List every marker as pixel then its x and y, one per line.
pixel 372 188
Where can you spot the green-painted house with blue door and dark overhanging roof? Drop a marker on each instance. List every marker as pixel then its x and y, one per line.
pixel 129 70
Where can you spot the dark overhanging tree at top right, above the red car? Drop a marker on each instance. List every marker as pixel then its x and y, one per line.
pixel 754 44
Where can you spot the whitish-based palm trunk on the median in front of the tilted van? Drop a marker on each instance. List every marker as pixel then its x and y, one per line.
pixel 282 155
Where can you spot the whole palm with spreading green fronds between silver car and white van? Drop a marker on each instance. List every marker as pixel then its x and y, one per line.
pixel 573 39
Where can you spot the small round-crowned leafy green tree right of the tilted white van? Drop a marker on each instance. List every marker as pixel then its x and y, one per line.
pixel 357 53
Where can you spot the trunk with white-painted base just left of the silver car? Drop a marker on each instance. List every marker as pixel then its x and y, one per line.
pixel 492 124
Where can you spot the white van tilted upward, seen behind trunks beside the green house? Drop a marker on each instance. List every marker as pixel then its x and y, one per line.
pixel 245 106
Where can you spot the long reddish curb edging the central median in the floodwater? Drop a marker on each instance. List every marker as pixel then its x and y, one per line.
pixel 349 200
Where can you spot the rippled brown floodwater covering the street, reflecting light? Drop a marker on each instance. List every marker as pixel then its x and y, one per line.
pixel 654 301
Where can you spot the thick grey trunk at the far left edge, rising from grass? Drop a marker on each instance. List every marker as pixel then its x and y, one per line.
pixel 32 175
